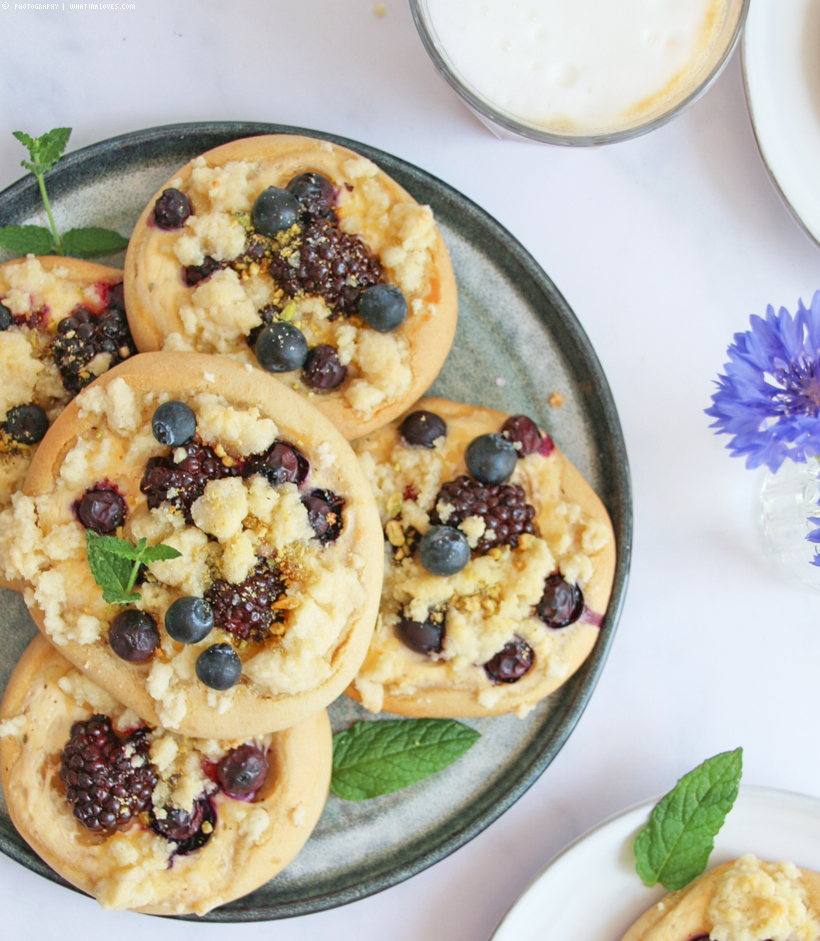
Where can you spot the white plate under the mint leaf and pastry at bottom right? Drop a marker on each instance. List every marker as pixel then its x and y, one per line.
pixel 591 892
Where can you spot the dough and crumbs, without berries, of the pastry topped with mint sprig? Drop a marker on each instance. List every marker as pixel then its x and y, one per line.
pixel 302 658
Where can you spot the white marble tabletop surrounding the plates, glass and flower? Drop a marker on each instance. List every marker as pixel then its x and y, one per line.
pixel 663 246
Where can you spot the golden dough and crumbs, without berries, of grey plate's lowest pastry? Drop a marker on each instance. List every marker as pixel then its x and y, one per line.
pixel 251 841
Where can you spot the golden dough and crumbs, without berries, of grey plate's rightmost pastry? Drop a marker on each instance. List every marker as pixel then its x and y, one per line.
pixel 491 602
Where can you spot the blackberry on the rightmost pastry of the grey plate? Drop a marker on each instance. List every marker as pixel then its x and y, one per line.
pixel 503 508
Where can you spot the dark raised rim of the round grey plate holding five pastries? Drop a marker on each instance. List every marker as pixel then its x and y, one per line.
pixel 107 158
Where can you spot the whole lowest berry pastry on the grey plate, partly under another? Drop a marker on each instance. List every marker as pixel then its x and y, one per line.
pixel 146 819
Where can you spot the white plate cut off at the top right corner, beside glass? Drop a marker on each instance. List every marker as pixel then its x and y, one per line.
pixel 781 68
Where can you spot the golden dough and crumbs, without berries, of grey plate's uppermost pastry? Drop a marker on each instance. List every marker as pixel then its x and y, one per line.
pixel 385 372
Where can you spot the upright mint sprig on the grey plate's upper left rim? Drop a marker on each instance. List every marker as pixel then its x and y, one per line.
pixel 91 242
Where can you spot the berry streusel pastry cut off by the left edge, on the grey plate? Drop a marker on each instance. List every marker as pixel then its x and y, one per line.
pixel 62 323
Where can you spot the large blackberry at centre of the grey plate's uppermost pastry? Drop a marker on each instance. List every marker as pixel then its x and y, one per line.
pixel 331 263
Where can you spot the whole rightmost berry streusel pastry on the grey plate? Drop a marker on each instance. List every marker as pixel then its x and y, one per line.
pixel 499 564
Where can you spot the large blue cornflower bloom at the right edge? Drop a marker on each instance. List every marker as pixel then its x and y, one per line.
pixel 769 399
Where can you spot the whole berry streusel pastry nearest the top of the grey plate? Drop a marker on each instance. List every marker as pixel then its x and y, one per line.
pixel 305 258
